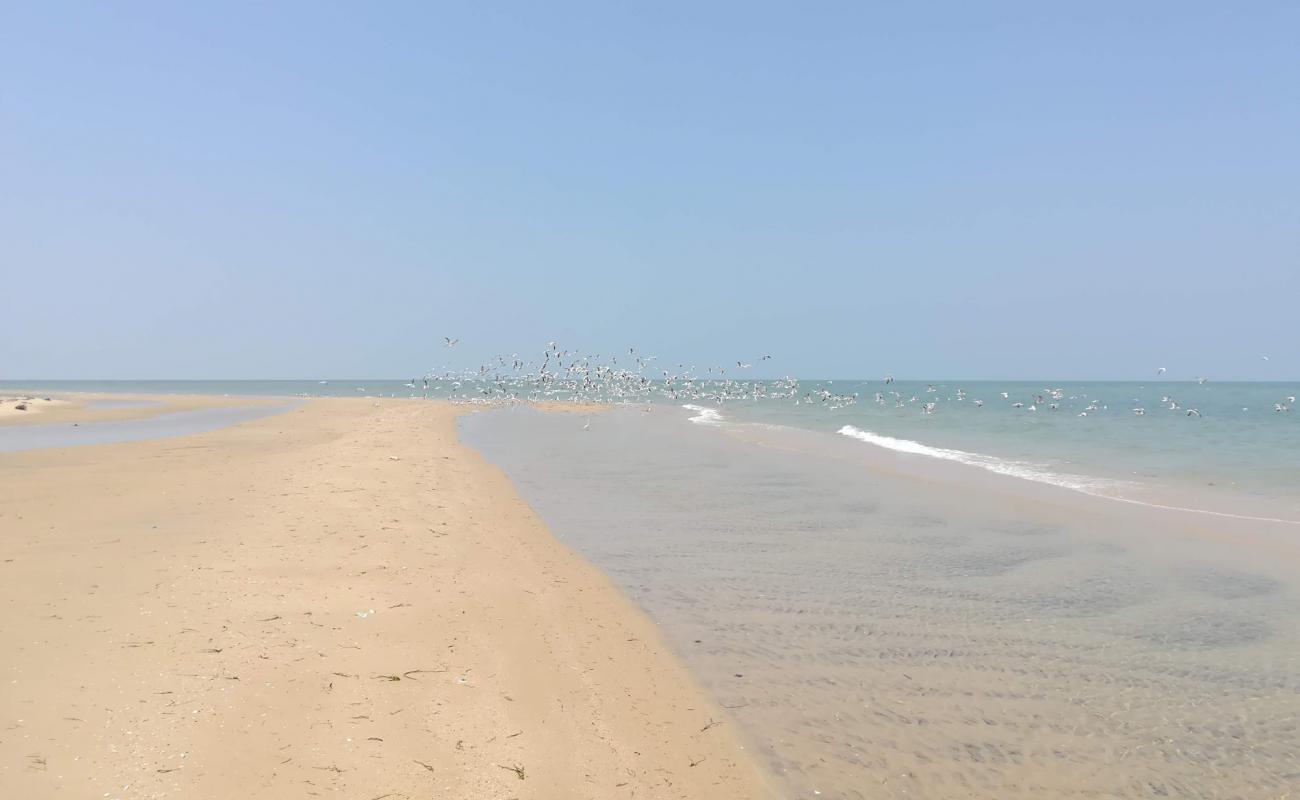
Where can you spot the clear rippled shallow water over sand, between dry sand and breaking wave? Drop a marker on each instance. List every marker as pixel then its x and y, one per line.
pixel 881 635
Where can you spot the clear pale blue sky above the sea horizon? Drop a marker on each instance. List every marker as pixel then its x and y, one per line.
pixel 1002 191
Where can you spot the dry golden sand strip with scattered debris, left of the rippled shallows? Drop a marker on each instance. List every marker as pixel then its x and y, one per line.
pixel 340 600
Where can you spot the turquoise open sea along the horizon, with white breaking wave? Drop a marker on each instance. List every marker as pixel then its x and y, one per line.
pixel 1236 444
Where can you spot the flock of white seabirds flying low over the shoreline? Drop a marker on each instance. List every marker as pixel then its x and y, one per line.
pixel 569 375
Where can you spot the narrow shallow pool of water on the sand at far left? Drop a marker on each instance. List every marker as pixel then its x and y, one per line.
pixel 180 423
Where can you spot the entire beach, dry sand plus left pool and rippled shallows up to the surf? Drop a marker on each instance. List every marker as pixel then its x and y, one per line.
pixel 385 598
